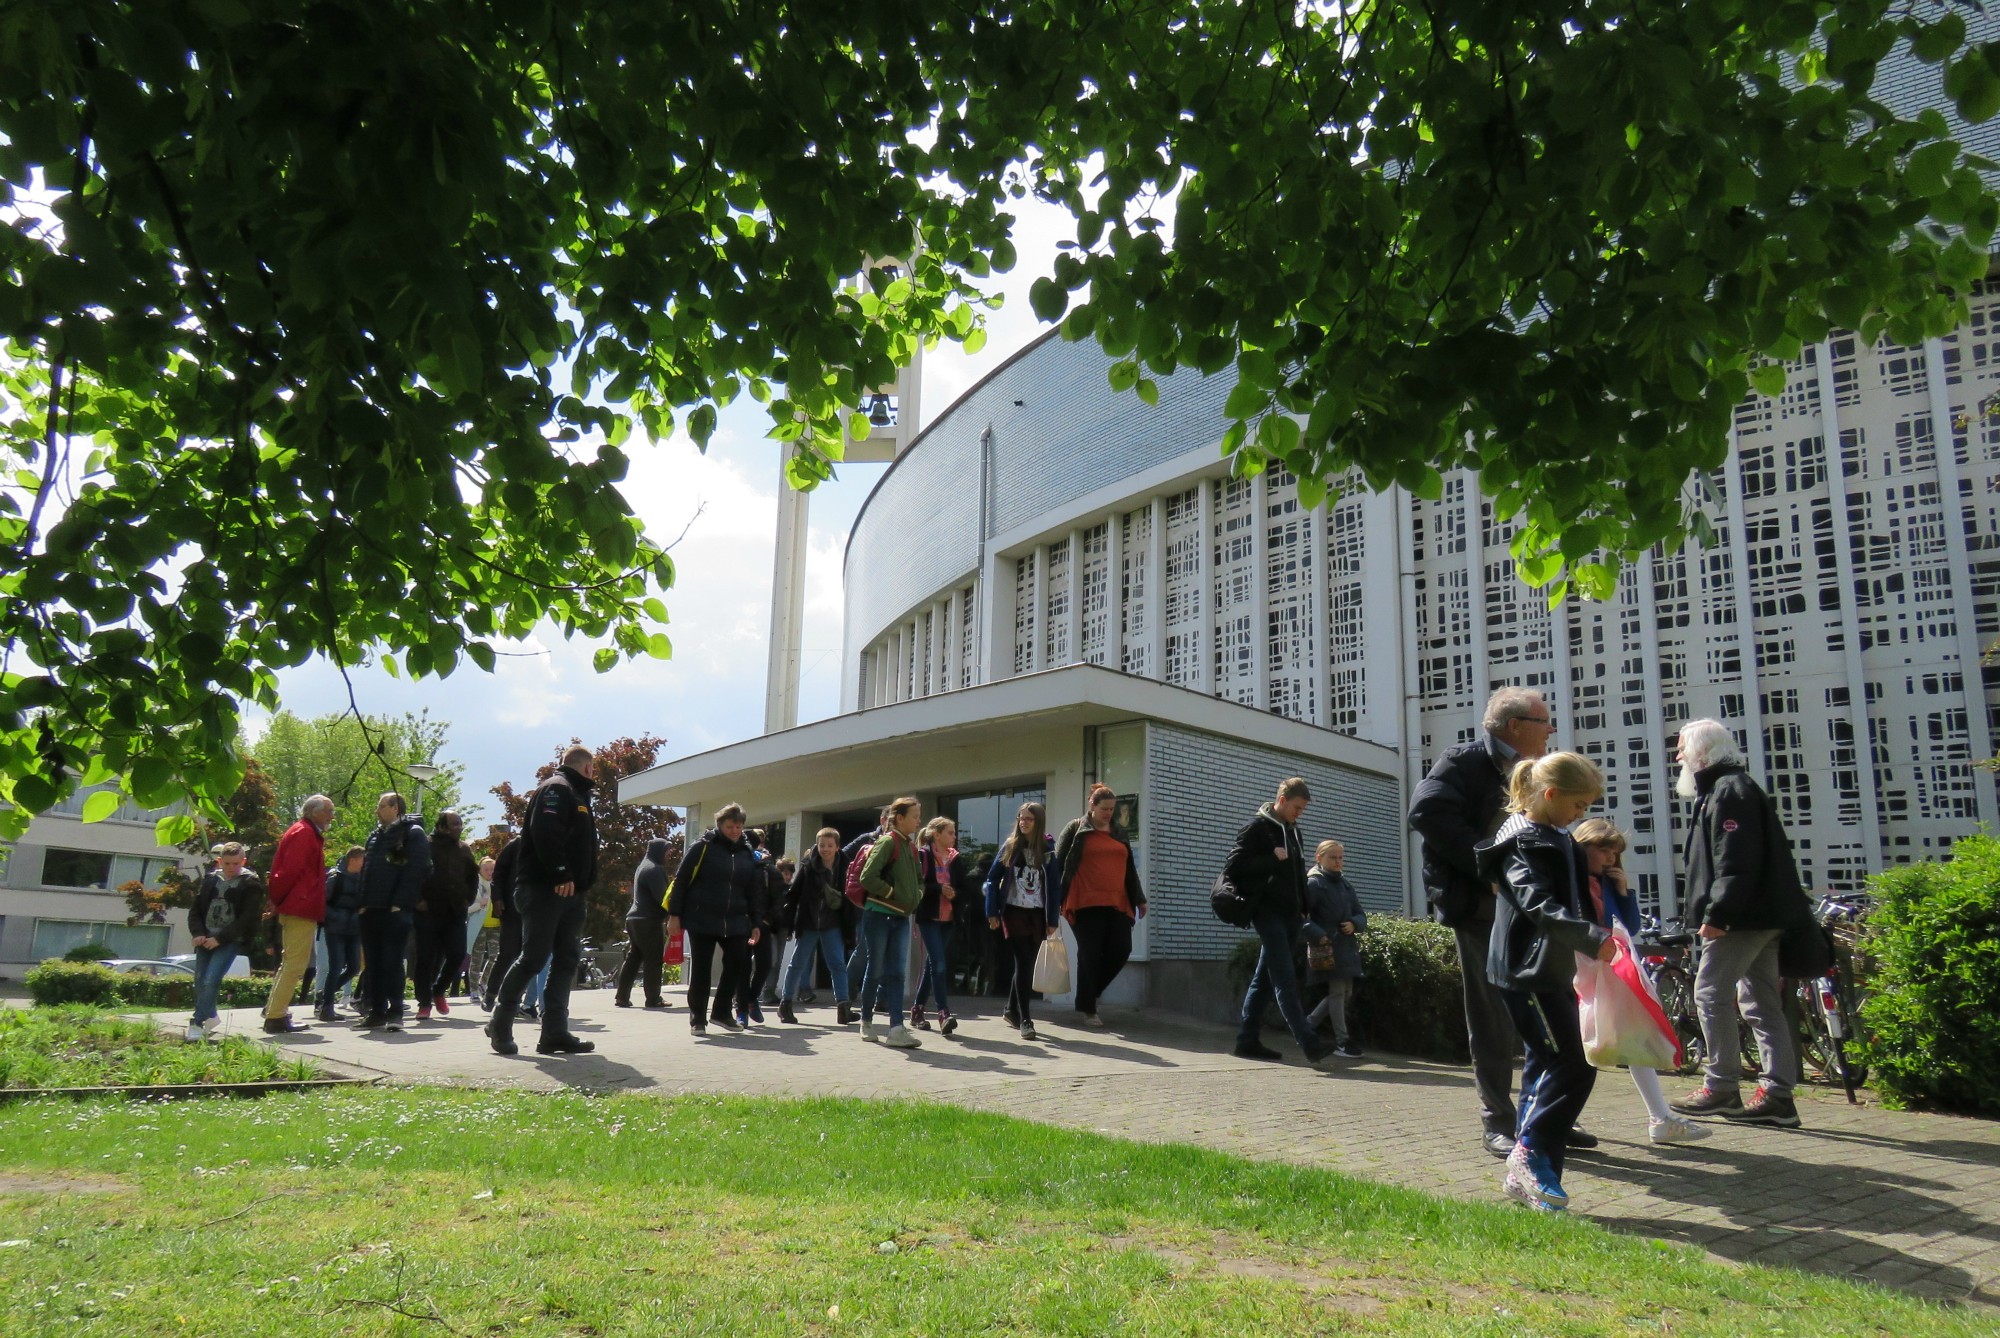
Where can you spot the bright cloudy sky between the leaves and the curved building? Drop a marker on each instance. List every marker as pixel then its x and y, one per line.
pixel 505 725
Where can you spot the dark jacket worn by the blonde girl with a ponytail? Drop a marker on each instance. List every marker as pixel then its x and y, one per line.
pixel 1543 911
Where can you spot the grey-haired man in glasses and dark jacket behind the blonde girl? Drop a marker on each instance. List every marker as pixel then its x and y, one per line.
pixel 1455 809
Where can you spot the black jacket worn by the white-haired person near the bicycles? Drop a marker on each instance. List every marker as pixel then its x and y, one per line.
pixel 1741 873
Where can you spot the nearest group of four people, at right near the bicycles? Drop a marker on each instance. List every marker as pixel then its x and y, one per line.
pixel 1529 887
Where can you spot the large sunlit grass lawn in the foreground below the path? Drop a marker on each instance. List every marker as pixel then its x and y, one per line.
pixel 437 1211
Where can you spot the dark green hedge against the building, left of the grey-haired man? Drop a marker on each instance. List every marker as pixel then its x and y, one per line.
pixel 1409 997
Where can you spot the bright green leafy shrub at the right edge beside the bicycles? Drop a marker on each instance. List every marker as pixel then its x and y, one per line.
pixel 1933 1019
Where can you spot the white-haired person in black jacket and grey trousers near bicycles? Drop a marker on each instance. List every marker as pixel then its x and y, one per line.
pixel 1743 891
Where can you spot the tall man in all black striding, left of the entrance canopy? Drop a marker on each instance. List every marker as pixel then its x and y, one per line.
pixel 555 867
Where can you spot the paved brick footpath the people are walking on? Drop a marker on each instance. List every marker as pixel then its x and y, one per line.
pixel 1905 1201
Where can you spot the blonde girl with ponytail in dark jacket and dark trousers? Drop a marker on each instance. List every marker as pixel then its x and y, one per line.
pixel 1541 921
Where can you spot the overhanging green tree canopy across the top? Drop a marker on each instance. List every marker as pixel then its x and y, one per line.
pixel 329 321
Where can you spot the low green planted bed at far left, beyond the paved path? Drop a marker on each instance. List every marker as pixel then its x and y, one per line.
pixel 81 1047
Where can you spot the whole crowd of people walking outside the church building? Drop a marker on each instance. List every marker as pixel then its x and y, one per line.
pixel 1527 883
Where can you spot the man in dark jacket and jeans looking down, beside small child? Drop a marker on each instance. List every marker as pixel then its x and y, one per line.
pixel 1269 867
